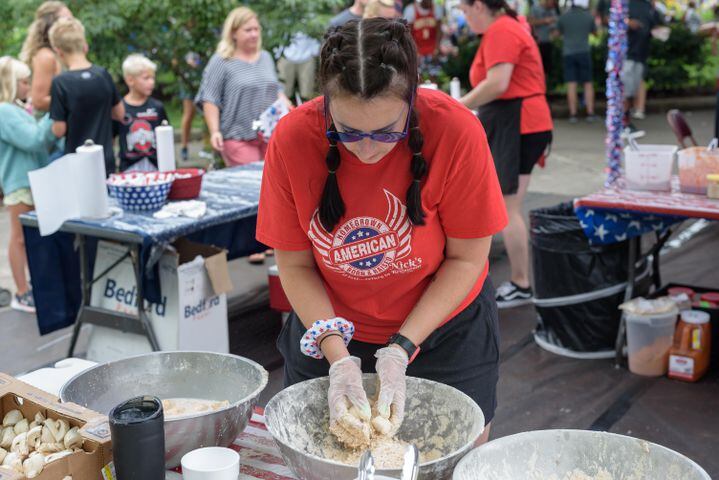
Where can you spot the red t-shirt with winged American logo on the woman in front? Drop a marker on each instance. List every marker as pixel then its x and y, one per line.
pixel 376 265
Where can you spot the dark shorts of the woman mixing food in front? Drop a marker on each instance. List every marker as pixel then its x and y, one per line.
pixel 463 353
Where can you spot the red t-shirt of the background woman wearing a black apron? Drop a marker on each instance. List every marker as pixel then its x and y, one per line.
pixel 507 41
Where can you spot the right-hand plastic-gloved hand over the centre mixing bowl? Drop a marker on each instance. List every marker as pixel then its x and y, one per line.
pixel 391 369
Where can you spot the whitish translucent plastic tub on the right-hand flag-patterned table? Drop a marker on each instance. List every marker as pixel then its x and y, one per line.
pixel 650 167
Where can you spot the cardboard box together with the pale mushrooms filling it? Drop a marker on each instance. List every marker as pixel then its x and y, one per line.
pixel 44 439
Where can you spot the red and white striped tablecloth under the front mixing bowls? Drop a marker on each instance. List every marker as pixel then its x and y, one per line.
pixel 260 458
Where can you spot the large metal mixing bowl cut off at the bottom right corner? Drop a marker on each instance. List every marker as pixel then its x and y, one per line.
pixel 559 454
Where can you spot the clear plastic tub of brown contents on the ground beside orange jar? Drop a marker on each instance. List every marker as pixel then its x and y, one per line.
pixel 649 339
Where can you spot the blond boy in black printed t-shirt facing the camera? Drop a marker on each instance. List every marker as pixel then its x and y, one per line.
pixel 142 114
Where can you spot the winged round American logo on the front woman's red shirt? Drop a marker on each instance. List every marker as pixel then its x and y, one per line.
pixel 365 247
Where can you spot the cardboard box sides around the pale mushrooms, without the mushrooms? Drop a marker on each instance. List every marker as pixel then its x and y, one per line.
pixel 94 428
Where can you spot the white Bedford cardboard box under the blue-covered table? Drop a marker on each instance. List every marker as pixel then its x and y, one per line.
pixel 194 280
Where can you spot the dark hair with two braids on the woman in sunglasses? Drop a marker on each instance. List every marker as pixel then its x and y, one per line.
pixel 367 59
